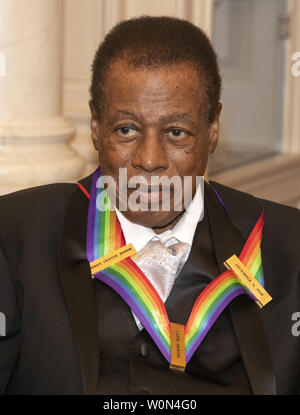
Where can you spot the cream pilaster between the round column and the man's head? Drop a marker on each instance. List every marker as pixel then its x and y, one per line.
pixel 86 23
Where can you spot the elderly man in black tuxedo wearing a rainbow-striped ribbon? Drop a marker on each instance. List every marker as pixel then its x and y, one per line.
pixel 82 318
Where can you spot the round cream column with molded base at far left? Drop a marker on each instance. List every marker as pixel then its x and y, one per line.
pixel 34 137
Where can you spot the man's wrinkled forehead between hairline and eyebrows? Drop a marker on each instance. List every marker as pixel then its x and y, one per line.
pixel 156 88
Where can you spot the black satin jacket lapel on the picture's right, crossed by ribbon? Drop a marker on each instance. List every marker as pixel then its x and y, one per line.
pixel 245 314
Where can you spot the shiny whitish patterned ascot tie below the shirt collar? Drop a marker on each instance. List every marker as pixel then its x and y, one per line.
pixel 161 264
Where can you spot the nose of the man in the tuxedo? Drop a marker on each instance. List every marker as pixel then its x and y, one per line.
pixel 150 154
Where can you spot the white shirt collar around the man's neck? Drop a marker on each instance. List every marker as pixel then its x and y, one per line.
pixel 183 231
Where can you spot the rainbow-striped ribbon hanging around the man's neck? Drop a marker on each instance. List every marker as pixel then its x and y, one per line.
pixel 104 235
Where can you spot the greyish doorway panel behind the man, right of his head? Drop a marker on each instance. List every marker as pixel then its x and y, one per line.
pixel 250 40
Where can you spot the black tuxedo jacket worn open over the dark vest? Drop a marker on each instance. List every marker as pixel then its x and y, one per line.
pixel 52 344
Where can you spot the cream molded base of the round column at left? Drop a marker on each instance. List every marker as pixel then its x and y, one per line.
pixel 34 152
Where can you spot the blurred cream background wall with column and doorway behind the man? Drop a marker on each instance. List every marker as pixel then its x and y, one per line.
pixel 46 49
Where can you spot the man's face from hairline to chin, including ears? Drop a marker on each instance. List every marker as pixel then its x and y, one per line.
pixel 154 124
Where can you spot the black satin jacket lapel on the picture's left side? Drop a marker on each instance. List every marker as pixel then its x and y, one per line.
pixel 77 285
